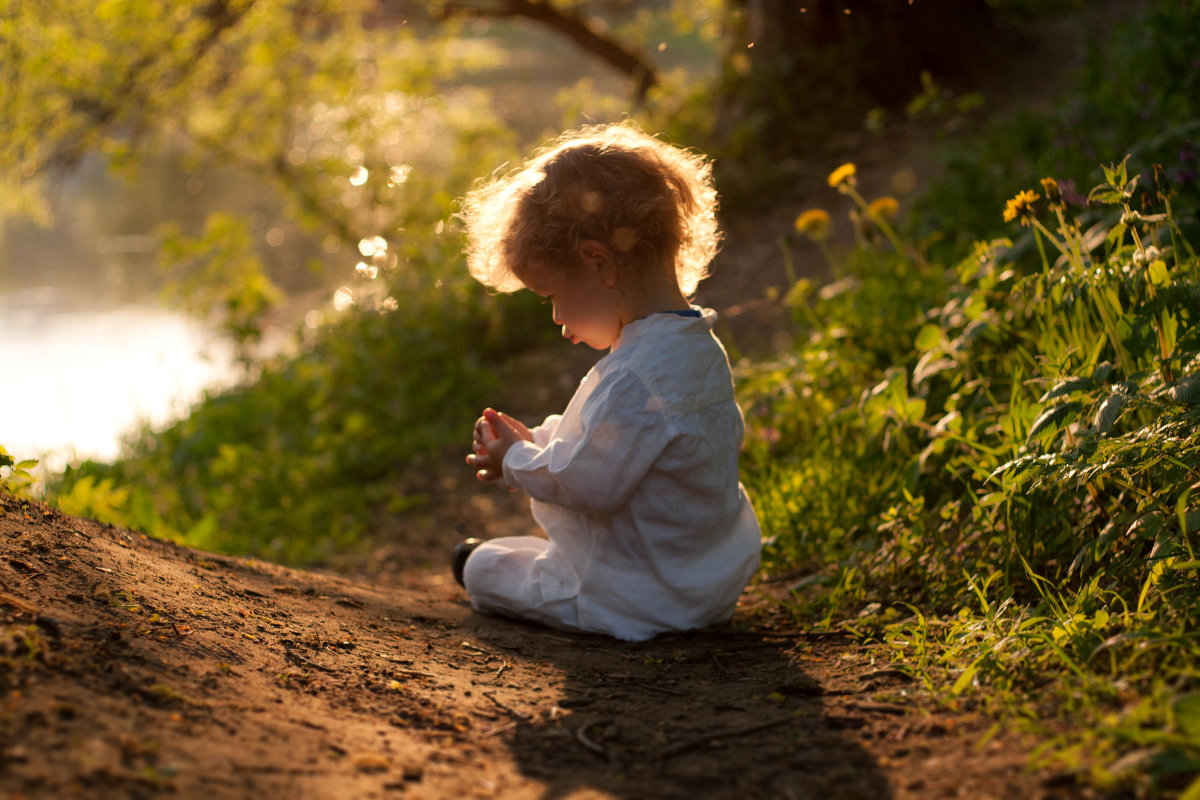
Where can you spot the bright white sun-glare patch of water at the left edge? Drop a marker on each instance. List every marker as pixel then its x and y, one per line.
pixel 76 380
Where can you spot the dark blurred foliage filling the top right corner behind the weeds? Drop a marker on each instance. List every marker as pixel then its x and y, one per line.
pixel 1138 94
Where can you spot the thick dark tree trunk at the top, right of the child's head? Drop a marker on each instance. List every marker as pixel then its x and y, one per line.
pixel 796 67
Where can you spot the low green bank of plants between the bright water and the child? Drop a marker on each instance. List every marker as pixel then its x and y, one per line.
pixel 296 465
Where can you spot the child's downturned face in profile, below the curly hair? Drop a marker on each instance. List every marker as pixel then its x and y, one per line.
pixel 589 308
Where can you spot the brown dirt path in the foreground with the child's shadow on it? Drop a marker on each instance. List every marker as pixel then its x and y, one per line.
pixel 137 669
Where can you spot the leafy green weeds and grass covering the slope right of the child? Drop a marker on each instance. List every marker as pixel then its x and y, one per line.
pixel 1011 495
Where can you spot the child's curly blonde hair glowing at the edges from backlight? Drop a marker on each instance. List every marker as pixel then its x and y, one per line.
pixel 653 204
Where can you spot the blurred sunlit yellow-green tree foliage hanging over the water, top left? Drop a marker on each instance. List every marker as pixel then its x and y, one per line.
pixel 357 124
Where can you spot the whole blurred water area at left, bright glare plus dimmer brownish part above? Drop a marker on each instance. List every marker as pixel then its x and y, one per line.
pixel 88 352
